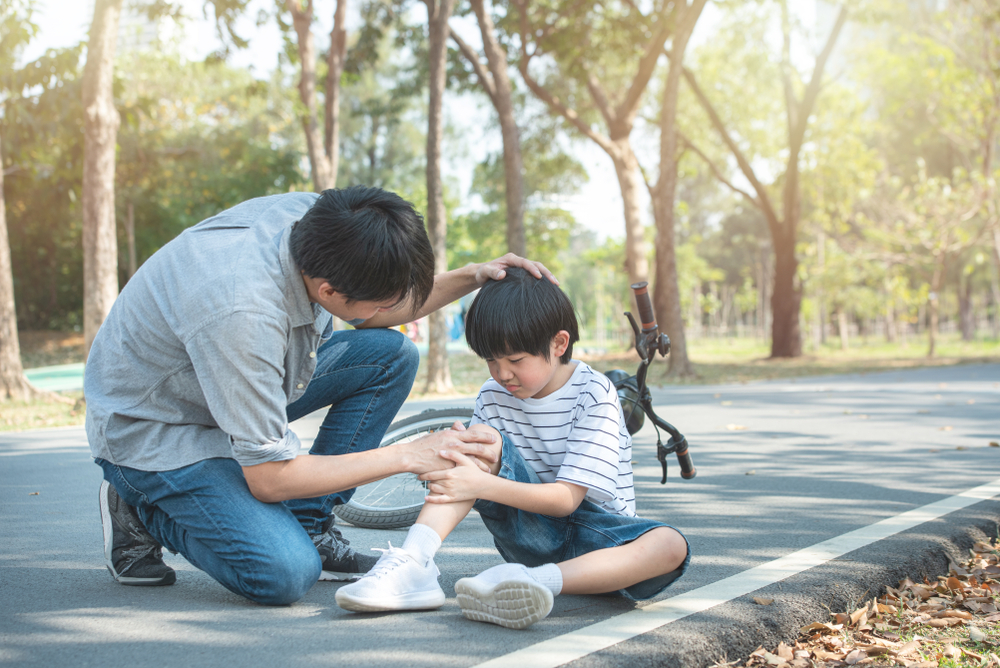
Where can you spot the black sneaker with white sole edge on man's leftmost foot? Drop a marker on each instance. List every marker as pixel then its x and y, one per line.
pixel 133 556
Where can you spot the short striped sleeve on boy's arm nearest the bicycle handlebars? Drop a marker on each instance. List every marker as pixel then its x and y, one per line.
pixel 593 447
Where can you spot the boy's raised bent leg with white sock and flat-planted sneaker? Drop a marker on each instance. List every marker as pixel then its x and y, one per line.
pixel 406 578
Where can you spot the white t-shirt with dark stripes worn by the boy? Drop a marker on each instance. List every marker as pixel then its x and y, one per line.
pixel 576 434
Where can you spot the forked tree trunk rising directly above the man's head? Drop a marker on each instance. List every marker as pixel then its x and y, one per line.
pixel 324 150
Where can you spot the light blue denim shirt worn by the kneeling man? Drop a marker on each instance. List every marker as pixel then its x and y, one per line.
pixel 206 346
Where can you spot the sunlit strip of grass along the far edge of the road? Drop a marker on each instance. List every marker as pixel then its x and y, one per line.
pixel 716 361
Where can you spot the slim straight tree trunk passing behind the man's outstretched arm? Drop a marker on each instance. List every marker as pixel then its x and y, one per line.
pixel 438 13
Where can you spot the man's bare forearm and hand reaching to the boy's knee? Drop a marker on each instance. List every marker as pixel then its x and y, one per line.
pixel 312 475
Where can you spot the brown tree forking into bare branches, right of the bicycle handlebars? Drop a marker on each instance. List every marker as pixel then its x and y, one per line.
pixel 786 296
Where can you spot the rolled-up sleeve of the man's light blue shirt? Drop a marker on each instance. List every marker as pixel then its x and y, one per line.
pixel 239 362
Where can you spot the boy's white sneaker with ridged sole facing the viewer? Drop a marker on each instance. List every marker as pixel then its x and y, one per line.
pixel 512 604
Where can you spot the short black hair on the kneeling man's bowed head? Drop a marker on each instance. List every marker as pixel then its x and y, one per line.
pixel 367 243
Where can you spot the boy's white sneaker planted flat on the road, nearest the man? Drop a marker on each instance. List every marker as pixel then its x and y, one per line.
pixel 396 582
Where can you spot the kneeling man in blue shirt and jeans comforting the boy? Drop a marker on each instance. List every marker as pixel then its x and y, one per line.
pixel 221 339
